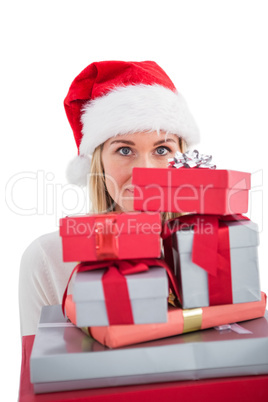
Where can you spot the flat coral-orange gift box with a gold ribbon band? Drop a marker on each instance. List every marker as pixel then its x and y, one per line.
pixel 179 321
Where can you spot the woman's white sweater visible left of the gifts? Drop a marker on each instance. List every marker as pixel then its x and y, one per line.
pixel 43 278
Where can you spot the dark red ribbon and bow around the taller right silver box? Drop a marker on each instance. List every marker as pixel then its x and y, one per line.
pixel 211 250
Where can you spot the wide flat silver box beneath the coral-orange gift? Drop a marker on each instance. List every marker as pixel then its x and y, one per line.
pixel 64 358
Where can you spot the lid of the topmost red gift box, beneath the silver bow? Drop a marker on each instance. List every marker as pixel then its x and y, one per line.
pixel 197 177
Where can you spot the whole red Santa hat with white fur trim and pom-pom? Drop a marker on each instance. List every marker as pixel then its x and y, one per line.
pixel 116 97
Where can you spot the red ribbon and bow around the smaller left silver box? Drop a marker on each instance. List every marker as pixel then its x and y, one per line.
pixel 117 300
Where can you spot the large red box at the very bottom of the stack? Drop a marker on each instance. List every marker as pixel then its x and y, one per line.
pixel 246 388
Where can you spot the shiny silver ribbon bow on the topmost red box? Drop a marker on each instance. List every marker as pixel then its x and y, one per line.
pixel 191 160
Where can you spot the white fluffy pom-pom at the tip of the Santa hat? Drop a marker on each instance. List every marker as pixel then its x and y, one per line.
pixel 78 170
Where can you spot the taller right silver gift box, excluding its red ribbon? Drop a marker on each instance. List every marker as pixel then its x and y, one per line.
pixel 193 280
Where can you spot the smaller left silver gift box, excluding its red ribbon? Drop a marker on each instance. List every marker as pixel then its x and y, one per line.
pixel 148 293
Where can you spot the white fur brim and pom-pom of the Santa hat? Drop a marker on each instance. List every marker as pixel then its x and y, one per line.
pixel 130 109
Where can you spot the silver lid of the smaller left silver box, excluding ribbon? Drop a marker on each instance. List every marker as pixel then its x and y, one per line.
pixel 87 285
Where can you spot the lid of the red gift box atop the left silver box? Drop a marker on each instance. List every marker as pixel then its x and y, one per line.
pixel 116 223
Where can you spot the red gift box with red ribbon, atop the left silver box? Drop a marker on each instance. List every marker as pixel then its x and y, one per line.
pixel 111 236
